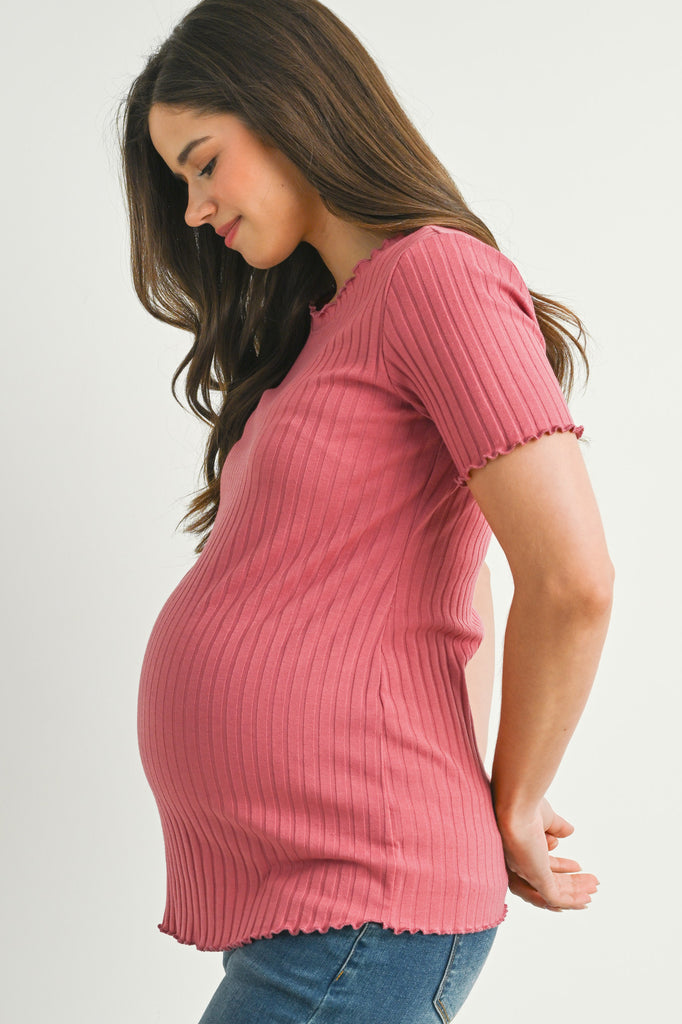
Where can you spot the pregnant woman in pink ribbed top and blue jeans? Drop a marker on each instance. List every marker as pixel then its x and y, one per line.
pixel 383 393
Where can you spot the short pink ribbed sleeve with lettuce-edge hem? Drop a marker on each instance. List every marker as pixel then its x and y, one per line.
pixel 462 345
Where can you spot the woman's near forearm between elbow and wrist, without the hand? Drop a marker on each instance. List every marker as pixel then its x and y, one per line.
pixel 551 655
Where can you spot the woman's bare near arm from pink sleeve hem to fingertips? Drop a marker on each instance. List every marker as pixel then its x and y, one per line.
pixel 540 504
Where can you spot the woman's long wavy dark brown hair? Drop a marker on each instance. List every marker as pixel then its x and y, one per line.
pixel 302 81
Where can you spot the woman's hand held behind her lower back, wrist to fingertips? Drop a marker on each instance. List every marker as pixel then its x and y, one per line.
pixel 550 883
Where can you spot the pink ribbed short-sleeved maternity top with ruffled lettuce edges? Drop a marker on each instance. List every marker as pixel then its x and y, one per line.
pixel 304 716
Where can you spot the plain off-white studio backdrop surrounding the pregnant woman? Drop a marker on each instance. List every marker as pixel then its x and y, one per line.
pixel 561 123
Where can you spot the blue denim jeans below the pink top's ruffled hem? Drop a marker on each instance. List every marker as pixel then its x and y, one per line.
pixel 368 975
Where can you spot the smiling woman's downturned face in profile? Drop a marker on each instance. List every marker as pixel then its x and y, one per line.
pixel 230 174
